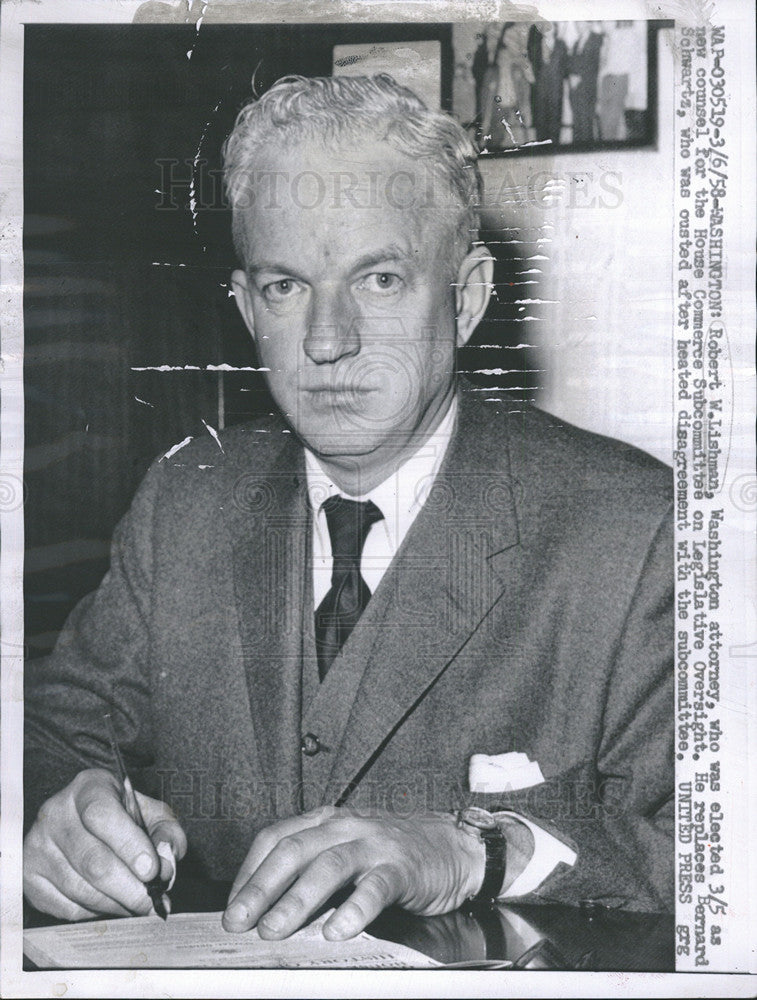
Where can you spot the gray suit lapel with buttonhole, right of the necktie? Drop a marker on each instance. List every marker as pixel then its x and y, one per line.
pixel 450 570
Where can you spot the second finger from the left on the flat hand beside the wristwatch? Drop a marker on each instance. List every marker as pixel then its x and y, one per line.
pixel 331 869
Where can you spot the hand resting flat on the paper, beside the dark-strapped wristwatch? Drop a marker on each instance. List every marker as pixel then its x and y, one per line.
pixel 425 864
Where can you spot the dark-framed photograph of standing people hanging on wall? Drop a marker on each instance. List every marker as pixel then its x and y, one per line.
pixel 550 85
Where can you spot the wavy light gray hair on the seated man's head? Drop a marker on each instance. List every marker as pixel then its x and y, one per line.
pixel 375 108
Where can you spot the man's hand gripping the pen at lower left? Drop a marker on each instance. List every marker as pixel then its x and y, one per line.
pixel 86 857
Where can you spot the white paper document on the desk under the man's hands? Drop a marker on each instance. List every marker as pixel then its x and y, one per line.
pixel 197 940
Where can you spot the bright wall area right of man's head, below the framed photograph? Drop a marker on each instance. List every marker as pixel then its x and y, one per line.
pixel 597 230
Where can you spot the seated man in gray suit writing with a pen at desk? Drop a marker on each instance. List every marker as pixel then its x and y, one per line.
pixel 327 636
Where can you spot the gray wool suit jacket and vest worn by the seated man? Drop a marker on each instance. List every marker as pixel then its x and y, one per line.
pixel 529 609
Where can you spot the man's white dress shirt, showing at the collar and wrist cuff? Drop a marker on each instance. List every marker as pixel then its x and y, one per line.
pixel 400 498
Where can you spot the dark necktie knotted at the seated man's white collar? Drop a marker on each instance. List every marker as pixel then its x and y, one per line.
pixel 338 612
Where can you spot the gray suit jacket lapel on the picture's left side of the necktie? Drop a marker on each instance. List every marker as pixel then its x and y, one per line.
pixel 268 527
